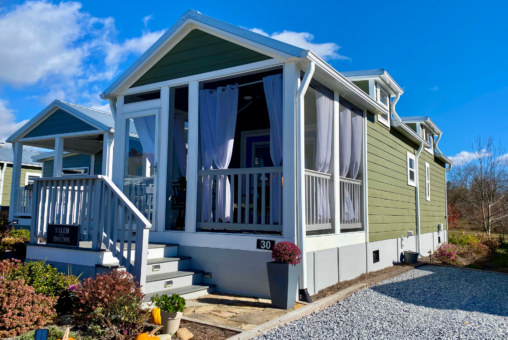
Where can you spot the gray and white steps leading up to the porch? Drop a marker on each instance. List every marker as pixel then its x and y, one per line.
pixel 167 273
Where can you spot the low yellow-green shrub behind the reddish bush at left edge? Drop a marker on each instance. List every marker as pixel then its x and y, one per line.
pixel 43 278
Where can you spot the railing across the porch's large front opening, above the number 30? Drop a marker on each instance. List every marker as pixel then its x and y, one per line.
pixel 255 200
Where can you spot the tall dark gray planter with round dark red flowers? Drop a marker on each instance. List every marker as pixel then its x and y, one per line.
pixel 283 274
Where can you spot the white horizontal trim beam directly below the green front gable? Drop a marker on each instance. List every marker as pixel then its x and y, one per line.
pixel 232 71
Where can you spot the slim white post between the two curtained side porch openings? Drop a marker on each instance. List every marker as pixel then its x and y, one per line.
pixel 336 163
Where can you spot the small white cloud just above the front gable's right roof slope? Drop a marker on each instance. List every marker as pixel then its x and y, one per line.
pixel 327 51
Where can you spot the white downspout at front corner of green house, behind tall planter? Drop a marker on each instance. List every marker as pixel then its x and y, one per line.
pixel 300 171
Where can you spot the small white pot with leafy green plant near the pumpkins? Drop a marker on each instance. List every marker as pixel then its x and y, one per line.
pixel 171 311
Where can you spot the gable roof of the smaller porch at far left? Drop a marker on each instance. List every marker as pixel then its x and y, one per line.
pixel 99 119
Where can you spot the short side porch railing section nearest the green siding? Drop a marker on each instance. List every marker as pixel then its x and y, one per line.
pixel 350 203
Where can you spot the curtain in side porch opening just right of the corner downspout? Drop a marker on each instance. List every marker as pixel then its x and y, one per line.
pixel 324 113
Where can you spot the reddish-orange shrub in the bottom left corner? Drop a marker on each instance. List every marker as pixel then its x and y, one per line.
pixel 22 309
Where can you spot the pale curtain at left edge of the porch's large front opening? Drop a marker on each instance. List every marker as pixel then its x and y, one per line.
pixel 218 111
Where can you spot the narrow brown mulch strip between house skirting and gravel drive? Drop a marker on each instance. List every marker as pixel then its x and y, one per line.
pixel 370 278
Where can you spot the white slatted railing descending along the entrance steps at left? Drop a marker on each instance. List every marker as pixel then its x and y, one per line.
pixel 105 217
